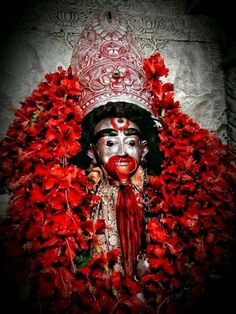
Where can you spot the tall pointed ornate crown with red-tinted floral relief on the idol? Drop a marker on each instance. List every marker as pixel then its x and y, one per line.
pixel 109 65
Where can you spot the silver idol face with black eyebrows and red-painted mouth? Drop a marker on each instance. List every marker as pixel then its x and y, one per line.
pixel 119 147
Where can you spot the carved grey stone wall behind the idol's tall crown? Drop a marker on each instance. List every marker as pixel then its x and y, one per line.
pixel 49 30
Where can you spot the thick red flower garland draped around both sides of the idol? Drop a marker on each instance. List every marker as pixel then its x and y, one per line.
pixel 190 204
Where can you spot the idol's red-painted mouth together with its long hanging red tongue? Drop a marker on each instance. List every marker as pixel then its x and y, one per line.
pixel 128 212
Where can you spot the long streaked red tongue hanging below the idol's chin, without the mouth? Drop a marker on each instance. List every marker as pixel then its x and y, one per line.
pixel 129 224
